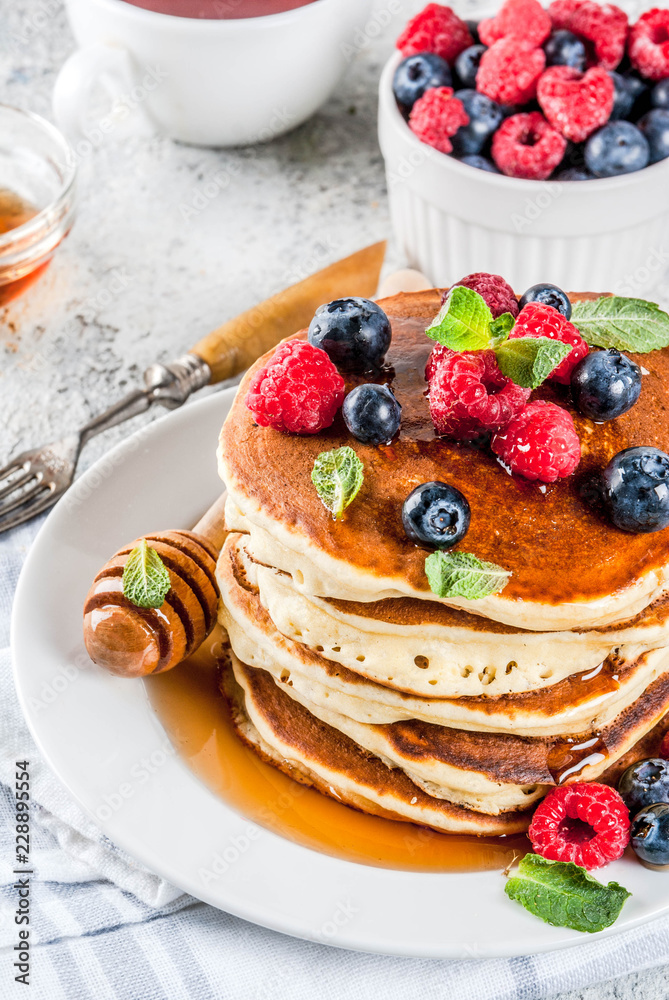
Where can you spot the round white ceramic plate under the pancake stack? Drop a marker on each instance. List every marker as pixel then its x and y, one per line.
pixel 95 730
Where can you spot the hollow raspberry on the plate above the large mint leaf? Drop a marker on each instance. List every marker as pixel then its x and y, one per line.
pixel 586 823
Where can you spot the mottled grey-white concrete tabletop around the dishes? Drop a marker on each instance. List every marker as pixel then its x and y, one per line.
pixel 154 261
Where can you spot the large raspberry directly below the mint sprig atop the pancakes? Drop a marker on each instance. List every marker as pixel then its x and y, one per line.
pixel 468 393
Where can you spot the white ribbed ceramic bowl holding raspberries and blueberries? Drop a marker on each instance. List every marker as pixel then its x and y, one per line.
pixel 450 219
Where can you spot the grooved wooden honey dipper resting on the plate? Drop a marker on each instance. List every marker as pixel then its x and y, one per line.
pixel 133 641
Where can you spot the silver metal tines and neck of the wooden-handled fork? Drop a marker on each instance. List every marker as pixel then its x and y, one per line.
pixel 34 480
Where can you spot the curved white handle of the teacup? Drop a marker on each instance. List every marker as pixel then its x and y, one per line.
pixel 104 66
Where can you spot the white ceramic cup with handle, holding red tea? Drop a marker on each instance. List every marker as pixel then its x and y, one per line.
pixel 206 82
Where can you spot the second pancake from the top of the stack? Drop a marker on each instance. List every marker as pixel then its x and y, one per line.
pixel 425 648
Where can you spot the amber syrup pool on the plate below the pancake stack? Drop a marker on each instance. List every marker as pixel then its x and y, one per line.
pixel 195 717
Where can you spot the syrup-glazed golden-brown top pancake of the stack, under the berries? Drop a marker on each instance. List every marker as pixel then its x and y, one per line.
pixel 570 567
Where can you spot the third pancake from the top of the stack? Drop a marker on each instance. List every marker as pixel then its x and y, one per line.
pixel 579 703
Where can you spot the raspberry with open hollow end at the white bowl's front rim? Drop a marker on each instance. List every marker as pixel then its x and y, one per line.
pixel 526 146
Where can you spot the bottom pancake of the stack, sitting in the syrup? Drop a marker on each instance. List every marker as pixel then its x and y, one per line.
pixel 289 737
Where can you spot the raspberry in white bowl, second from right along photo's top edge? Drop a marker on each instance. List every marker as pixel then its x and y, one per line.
pixel 603 25
